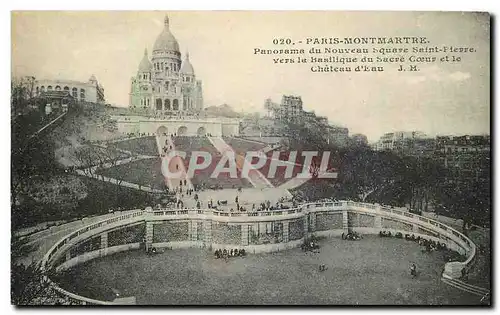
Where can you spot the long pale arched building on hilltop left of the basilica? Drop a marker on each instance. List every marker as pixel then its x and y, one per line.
pixel 90 91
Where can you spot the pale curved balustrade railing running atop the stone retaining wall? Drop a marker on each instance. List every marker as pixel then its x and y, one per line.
pixel 462 244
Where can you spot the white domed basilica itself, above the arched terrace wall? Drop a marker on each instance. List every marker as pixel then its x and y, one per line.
pixel 165 84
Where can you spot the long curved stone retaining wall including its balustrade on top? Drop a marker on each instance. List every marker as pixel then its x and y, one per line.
pixel 207 227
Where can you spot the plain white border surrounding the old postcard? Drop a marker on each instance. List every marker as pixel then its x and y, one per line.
pixel 420 5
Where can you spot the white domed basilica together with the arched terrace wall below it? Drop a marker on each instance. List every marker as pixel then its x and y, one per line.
pixel 166 97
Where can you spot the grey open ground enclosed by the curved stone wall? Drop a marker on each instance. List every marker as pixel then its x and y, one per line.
pixel 371 271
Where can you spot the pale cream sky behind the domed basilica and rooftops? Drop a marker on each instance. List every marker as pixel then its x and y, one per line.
pixel 440 99
